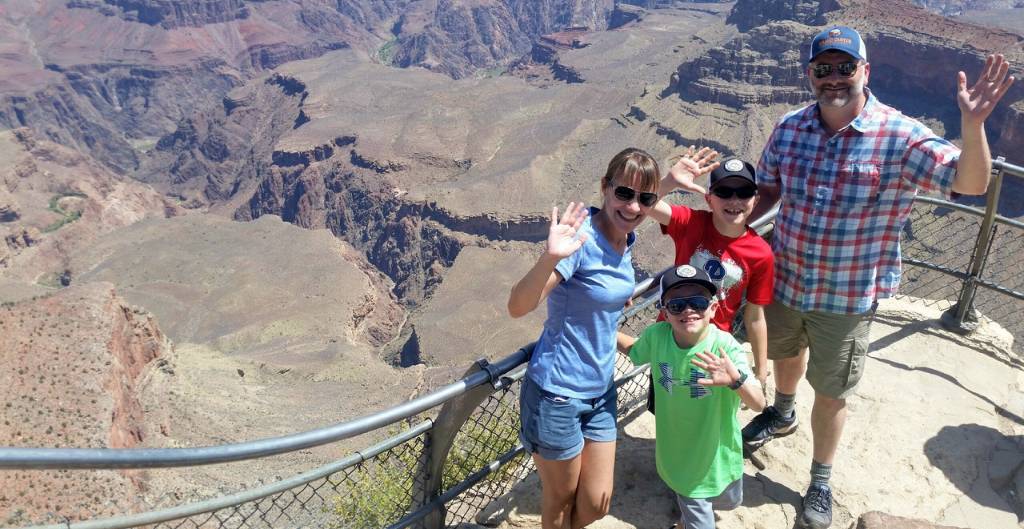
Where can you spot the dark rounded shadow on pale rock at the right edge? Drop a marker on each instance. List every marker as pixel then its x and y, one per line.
pixel 985 464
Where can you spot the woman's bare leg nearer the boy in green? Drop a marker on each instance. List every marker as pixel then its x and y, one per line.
pixel 596 480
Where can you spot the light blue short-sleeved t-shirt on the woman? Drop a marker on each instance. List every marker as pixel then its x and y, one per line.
pixel 576 356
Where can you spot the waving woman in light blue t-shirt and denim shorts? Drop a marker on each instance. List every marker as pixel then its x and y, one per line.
pixel 568 403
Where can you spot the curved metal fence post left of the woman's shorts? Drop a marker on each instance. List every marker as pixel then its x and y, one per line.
pixel 450 420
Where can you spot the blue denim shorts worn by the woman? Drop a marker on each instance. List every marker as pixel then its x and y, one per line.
pixel 554 426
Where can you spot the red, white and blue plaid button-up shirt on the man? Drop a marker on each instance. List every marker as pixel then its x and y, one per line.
pixel 844 201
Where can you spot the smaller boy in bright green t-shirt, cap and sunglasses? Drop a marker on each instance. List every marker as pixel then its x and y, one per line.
pixel 702 375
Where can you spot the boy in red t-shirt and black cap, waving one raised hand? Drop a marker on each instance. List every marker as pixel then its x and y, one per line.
pixel 739 261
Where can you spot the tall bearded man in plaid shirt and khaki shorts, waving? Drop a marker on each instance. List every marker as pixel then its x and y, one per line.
pixel 847 169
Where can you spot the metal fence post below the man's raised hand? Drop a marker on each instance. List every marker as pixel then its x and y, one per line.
pixel 962 318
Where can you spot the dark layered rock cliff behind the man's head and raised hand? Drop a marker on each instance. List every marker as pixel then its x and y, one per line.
pixel 912 53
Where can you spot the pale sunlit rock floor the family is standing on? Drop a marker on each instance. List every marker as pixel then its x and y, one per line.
pixel 936 433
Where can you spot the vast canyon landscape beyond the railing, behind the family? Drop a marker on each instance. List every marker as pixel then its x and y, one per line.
pixel 222 211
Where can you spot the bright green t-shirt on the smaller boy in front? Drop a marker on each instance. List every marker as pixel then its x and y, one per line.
pixel 698 444
